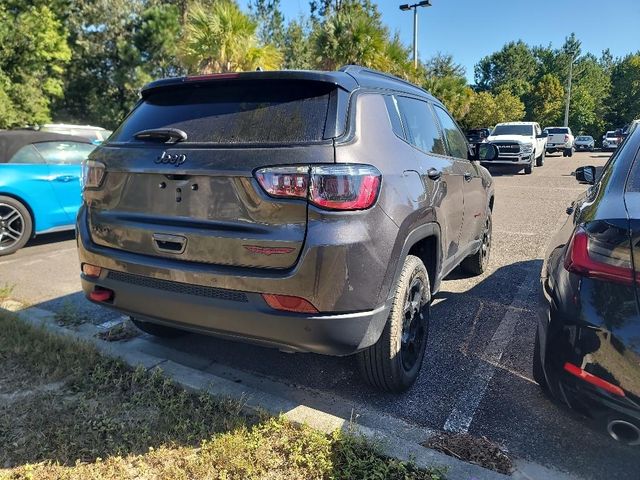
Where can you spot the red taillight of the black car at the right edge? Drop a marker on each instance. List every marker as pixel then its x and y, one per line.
pixel 605 257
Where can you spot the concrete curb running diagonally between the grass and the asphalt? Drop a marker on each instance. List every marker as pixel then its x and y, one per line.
pixel 397 438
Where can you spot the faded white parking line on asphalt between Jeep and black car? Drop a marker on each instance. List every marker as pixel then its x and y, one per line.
pixel 462 415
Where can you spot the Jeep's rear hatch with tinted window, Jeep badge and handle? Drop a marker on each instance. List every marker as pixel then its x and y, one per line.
pixel 197 199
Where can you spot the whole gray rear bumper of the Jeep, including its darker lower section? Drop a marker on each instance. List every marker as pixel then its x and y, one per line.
pixel 226 301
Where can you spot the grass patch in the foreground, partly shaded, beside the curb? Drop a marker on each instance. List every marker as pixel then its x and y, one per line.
pixel 68 412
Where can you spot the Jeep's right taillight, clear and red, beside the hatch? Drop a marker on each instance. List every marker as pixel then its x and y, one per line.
pixel 332 187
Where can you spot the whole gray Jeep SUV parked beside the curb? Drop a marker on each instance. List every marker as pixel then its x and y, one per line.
pixel 308 211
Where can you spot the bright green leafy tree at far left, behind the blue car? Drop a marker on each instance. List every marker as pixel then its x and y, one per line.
pixel 33 57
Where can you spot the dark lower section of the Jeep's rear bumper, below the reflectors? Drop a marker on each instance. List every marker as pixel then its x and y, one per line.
pixel 242 316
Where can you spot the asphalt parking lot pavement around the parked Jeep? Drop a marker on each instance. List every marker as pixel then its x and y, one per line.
pixel 477 371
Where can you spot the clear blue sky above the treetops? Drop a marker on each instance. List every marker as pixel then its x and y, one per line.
pixel 472 29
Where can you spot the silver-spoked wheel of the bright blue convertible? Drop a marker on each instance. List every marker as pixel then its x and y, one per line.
pixel 16 225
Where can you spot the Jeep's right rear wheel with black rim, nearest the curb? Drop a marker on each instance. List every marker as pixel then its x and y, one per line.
pixel 392 364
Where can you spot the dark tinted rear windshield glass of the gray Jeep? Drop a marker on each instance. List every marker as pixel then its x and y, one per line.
pixel 236 112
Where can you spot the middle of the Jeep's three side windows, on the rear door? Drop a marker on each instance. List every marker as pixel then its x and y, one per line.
pixel 420 125
